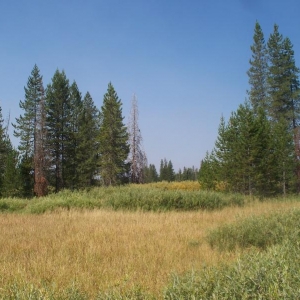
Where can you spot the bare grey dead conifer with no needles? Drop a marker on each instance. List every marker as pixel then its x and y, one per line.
pixel 137 156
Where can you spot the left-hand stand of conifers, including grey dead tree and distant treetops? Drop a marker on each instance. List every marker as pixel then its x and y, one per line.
pixel 66 142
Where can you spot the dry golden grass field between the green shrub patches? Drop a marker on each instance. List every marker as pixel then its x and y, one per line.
pixel 102 249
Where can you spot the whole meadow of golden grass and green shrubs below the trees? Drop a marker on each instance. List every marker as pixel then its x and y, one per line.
pixel 149 242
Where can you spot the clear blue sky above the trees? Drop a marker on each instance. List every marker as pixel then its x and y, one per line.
pixel 186 61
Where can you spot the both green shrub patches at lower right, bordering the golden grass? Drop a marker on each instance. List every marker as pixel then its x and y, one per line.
pixel 270 274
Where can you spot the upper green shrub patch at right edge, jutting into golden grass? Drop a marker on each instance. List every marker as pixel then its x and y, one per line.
pixel 260 232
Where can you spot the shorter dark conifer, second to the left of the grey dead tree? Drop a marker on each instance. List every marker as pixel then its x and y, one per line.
pixel 87 152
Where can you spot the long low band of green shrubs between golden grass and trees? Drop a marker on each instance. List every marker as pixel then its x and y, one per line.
pixel 132 197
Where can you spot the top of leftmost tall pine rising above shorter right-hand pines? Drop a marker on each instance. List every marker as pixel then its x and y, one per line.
pixel 258 71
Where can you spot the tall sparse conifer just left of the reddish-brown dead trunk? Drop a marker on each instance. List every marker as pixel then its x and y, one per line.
pixel 25 127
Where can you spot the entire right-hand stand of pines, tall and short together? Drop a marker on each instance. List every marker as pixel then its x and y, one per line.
pixel 257 149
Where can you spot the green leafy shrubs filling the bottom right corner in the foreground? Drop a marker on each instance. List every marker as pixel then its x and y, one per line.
pixel 273 274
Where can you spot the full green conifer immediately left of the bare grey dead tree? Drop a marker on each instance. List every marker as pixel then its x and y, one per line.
pixel 113 141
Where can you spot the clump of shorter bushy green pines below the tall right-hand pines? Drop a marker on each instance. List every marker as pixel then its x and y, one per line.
pixel 243 154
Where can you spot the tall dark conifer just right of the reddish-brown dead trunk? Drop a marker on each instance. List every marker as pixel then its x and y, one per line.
pixel 57 121
